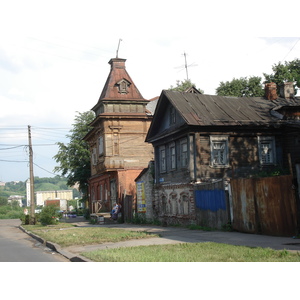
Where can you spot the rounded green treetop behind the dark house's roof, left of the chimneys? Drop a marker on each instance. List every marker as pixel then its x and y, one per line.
pixel 242 87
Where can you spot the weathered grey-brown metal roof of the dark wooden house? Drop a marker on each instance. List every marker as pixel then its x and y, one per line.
pixel 210 110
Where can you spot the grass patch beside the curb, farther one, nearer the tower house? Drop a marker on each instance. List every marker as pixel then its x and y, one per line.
pixel 65 236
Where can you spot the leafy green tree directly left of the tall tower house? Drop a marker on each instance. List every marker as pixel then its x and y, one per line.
pixel 74 158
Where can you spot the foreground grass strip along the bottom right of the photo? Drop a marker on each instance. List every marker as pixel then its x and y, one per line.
pixel 192 252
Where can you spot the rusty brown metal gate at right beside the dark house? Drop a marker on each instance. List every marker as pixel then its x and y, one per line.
pixel 264 205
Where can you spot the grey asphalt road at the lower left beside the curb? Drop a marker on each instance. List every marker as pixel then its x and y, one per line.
pixel 17 246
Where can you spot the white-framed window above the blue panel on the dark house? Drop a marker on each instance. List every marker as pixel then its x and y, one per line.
pixel 219 157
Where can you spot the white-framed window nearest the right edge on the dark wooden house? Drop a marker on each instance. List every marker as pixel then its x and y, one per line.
pixel 266 150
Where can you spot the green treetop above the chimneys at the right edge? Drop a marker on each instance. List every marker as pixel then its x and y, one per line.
pixel 285 72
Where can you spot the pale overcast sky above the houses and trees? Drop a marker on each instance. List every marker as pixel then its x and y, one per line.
pixel 54 59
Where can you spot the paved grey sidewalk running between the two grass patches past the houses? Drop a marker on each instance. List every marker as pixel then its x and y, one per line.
pixel 174 235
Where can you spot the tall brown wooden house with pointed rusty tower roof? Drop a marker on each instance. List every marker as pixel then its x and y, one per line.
pixel 117 141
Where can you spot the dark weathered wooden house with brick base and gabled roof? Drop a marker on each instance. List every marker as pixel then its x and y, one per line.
pixel 200 139
